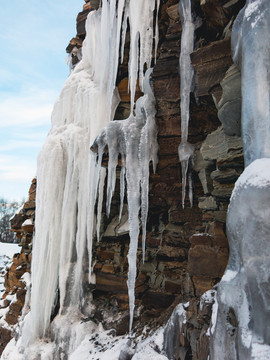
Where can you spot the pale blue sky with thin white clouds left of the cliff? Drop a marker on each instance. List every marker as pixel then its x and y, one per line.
pixel 33 36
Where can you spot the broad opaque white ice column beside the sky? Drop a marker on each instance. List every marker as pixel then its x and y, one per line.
pixel 66 176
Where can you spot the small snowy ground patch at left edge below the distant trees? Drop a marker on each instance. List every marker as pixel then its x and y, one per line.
pixel 6 254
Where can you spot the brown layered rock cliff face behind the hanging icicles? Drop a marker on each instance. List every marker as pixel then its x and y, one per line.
pixel 187 249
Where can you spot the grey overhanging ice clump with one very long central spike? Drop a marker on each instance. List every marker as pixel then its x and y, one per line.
pixel 135 139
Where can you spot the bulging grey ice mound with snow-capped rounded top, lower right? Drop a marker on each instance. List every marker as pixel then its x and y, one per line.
pixel 243 295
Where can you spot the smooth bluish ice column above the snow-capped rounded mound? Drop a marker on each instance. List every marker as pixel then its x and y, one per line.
pixel 251 52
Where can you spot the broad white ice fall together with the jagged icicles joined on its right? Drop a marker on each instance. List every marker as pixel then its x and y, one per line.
pixel 70 177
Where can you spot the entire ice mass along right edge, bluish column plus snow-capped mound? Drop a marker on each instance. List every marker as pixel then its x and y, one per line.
pixel 240 329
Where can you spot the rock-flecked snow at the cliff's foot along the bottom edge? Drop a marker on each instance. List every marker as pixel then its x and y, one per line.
pixel 97 344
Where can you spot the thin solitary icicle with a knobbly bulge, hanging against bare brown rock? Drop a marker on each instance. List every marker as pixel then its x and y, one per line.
pixel 185 150
